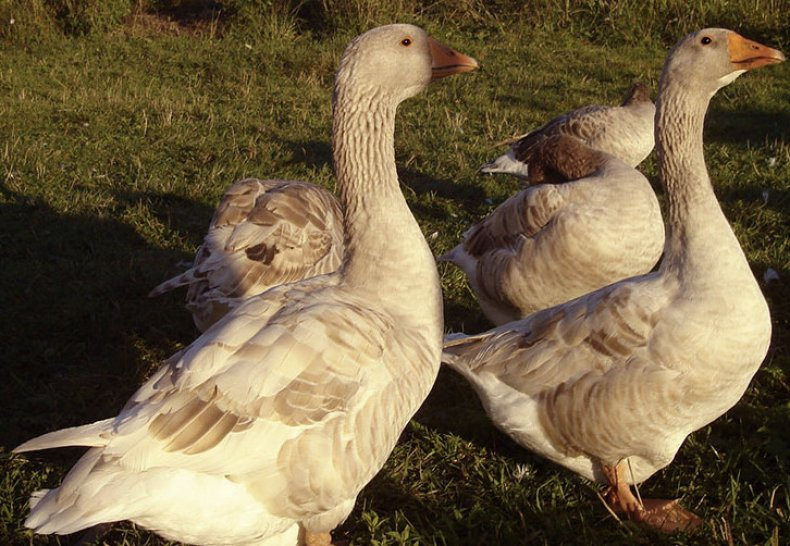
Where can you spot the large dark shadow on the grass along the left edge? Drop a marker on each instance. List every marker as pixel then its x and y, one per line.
pixel 79 334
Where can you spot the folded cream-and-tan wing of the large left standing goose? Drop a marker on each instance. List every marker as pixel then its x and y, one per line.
pixel 290 373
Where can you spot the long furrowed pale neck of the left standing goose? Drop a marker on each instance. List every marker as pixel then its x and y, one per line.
pixel 386 252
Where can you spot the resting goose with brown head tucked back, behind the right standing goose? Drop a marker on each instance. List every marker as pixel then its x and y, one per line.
pixel 588 220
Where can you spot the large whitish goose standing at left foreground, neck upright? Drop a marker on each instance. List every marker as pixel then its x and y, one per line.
pixel 265 429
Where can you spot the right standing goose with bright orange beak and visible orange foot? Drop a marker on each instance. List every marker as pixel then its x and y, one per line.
pixel 609 385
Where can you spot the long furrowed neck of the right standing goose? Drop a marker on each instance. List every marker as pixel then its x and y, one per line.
pixel 699 238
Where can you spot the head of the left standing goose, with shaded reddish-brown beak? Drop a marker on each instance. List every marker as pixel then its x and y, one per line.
pixel 398 61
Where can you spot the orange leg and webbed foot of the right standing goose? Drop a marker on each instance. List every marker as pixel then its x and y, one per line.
pixel 662 514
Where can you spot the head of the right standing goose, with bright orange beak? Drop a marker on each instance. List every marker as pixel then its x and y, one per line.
pixel 711 58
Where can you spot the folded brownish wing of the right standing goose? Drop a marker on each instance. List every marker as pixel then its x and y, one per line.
pixel 551 348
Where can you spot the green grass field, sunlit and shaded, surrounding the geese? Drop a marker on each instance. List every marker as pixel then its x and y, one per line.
pixel 119 139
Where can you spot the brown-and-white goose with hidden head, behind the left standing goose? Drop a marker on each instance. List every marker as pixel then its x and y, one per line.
pixel 264 233
